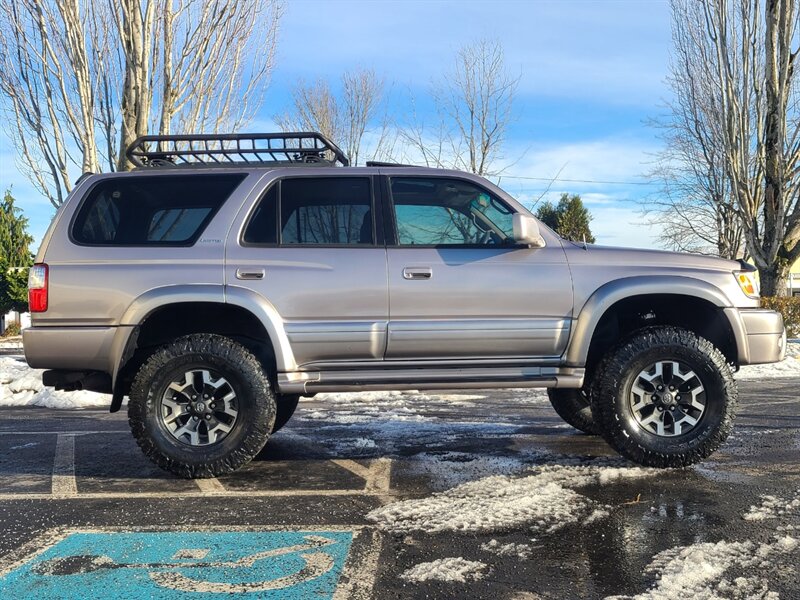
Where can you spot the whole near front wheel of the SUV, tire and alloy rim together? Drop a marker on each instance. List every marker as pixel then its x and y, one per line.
pixel 665 397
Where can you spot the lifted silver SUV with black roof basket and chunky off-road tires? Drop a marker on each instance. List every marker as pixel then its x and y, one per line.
pixel 228 275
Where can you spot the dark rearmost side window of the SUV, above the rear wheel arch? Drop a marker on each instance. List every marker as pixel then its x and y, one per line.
pixel 159 210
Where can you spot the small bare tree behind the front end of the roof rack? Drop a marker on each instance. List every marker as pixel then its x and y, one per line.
pixel 344 118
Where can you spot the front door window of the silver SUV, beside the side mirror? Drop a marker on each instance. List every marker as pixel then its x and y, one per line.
pixel 438 211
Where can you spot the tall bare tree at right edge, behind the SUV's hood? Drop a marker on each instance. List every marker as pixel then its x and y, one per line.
pixel 738 82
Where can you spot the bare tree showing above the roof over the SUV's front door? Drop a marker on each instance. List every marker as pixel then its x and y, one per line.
pixel 475 108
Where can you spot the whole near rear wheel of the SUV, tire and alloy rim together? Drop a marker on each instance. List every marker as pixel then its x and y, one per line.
pixel 201 406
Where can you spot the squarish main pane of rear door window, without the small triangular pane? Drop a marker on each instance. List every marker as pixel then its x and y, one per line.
pixel 326 210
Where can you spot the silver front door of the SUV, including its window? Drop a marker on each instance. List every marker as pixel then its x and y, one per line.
pixel 459 287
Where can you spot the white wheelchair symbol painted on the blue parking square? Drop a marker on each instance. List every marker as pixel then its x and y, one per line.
pixel 166 574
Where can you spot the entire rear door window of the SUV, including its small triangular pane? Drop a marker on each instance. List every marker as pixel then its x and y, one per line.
pixel 335 211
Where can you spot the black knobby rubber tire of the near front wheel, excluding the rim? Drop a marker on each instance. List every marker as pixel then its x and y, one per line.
pixel 616 375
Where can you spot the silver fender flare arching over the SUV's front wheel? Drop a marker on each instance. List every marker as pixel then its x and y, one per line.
pixel 612 292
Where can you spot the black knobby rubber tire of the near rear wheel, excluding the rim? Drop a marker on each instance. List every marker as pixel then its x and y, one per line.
pixel 256 406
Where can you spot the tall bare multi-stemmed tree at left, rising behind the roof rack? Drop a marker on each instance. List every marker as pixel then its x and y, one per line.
pixel 82 79
